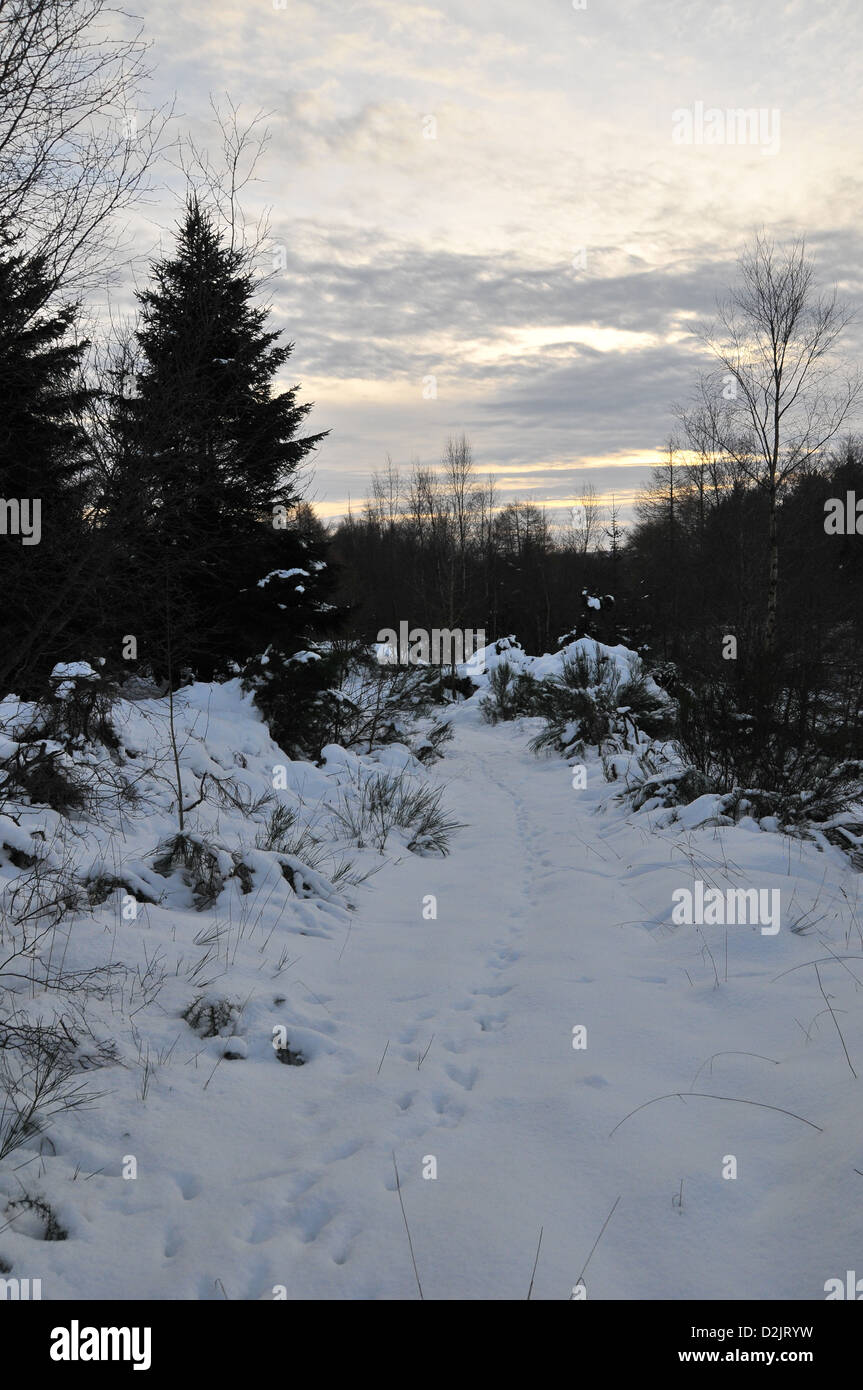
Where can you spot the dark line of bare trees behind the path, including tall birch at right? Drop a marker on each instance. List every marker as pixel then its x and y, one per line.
pixel 740 580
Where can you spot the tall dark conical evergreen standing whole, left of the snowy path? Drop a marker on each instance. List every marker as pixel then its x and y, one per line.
pixel 205 484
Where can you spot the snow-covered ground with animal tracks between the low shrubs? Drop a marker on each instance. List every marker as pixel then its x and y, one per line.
pixel 437 1018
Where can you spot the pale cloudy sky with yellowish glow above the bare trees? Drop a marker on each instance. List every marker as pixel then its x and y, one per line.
pixel 490 216
